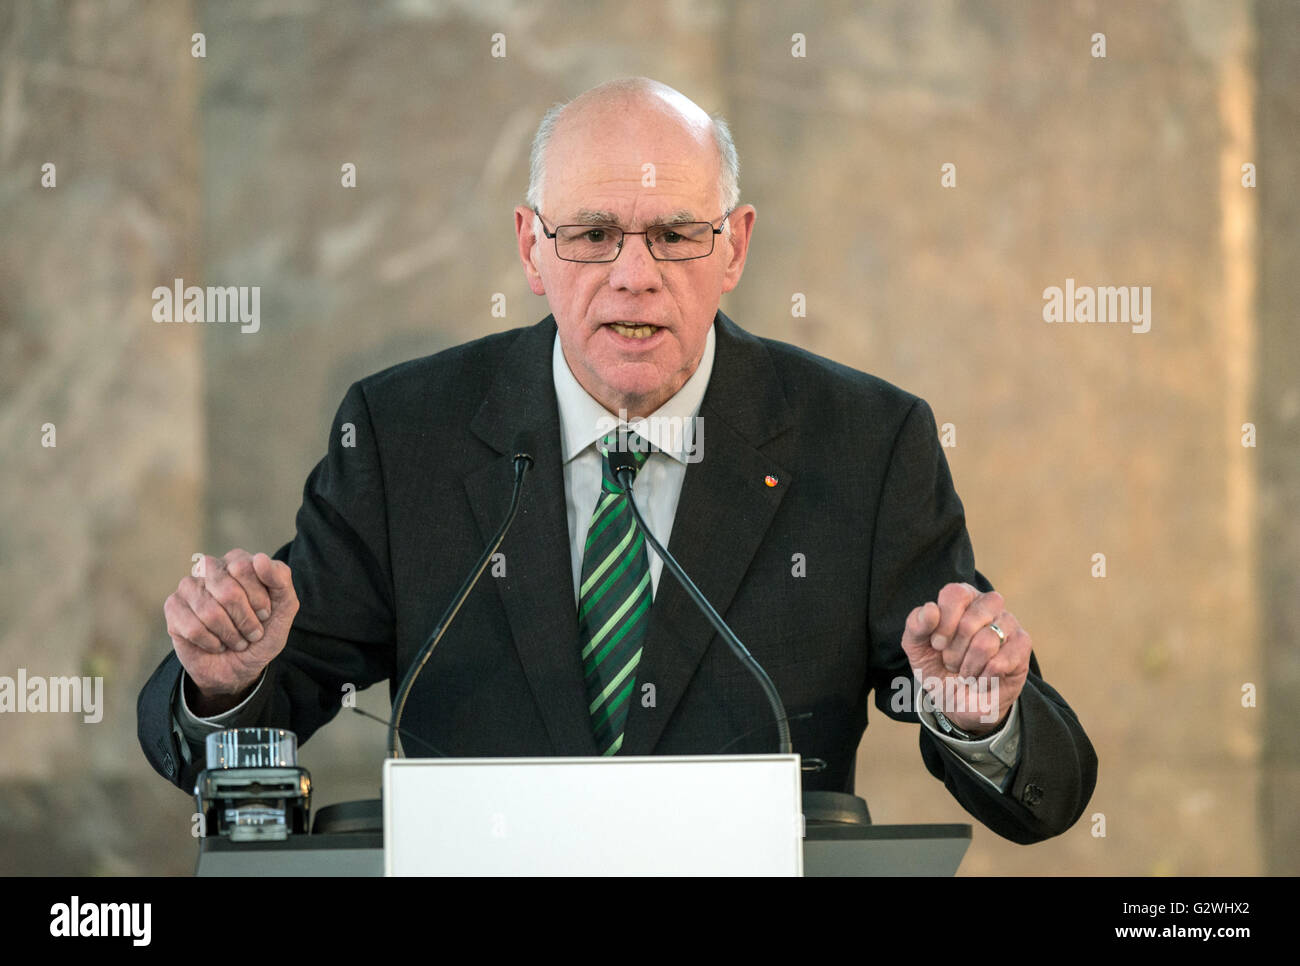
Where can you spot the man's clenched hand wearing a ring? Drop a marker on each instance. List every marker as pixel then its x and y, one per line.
pixel 952 640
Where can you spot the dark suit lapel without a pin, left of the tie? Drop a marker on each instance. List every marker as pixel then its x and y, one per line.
pixel 538 591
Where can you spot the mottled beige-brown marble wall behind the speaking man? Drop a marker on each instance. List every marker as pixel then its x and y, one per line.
pixel 1071 440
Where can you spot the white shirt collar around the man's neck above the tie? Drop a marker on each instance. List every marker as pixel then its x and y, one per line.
pixel 670 428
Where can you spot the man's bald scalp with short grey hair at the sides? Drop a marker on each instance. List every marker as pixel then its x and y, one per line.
pixel 630 109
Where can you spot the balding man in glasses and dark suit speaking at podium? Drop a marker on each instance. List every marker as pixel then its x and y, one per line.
pixel 812 504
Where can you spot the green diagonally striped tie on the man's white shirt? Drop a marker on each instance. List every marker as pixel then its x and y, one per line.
pixel 614 605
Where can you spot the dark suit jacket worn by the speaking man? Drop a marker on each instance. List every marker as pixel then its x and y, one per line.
pixel 391 527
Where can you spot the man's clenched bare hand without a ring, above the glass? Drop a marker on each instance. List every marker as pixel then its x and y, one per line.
pixel 228 623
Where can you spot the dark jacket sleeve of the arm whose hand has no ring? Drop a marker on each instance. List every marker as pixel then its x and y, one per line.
pixel 344 633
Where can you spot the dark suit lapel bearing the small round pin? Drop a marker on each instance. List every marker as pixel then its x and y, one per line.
pixel 725 493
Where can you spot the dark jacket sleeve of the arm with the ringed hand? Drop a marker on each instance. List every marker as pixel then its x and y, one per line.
pixel 921 545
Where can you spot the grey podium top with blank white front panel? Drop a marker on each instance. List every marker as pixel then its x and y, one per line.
pixel 697 816
